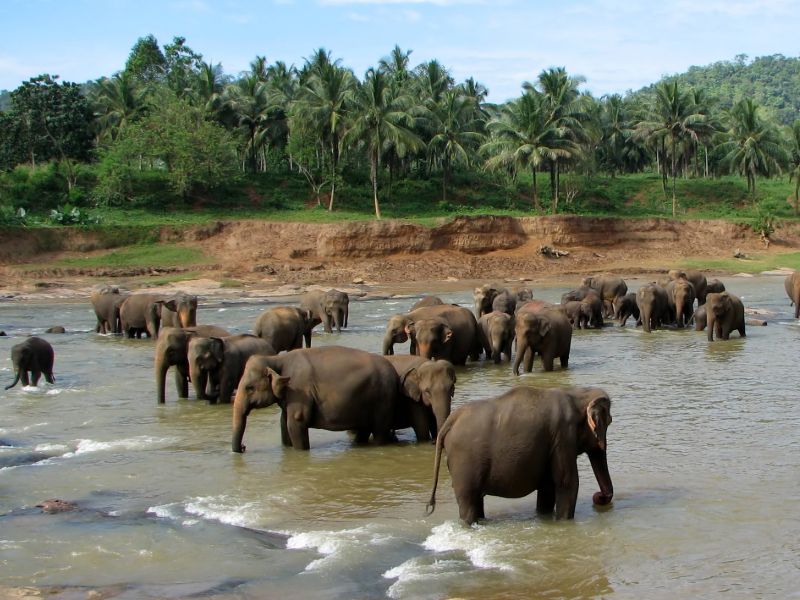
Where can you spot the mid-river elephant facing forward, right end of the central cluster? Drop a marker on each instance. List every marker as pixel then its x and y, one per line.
pixel 546 332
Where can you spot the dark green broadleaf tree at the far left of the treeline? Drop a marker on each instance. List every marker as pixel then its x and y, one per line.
pixel 54 122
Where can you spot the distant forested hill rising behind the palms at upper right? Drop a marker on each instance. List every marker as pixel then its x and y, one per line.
pixel 772 81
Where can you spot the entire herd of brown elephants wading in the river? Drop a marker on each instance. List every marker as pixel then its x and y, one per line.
pixel 522 441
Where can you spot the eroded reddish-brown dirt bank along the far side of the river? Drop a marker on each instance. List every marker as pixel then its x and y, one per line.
pixel 263 258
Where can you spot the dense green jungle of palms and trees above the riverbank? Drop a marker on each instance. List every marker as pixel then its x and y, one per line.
pixel 172 138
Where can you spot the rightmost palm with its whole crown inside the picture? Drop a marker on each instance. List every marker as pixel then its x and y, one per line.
pixel 754 146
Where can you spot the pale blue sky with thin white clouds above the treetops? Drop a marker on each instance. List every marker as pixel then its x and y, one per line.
pixel 616 45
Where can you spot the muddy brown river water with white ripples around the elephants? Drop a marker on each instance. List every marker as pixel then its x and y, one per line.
pixel 702 452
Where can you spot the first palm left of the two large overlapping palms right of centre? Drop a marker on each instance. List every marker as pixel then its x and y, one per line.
pixel 455 129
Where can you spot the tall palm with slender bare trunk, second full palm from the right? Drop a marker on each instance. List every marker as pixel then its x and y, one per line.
pixel 674 120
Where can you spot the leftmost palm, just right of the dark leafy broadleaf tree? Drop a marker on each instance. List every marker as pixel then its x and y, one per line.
pixel 117 102
